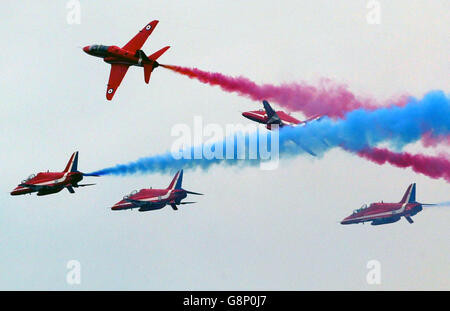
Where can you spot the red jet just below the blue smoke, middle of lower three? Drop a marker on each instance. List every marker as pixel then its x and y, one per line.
pixel 153 199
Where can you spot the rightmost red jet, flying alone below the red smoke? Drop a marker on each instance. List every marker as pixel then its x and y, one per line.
pixel 385 213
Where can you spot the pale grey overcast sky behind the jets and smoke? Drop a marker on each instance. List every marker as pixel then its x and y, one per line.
pixel 254 229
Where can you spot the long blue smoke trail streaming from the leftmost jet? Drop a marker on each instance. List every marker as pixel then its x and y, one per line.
pixel 358 130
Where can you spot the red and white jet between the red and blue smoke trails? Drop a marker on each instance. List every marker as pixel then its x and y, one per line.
pixel 269 116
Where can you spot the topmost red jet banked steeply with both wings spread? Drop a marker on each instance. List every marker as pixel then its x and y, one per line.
pixel 128 55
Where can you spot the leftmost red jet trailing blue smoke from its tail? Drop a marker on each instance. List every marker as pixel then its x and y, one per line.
pixel 48 182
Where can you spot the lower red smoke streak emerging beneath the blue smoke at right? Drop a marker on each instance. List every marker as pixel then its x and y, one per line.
pixel 431 166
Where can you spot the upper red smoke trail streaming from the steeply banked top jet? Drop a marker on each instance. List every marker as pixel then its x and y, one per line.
pixel 327 99
